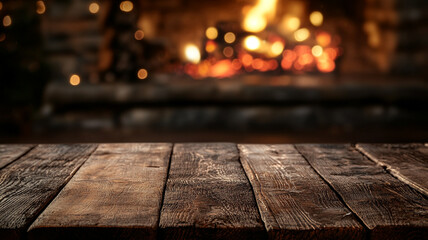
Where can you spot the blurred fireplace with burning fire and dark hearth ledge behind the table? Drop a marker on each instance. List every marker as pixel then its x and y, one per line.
pixel 123 67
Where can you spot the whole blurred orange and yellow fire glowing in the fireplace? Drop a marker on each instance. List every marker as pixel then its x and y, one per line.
pixel 293 46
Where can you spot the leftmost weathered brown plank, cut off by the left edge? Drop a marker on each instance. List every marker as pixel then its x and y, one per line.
pixel 30 183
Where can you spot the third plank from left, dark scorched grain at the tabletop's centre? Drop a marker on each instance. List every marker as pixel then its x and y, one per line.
pixel 208 195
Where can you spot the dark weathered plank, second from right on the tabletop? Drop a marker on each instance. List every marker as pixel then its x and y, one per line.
pixel 388 207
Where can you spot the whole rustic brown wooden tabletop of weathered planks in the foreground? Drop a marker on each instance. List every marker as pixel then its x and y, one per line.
pixel 214 191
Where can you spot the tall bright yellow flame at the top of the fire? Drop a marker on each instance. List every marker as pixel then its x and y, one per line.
pixel 258 16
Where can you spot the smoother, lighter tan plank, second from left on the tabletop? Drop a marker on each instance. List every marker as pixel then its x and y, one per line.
pixel 116 194
